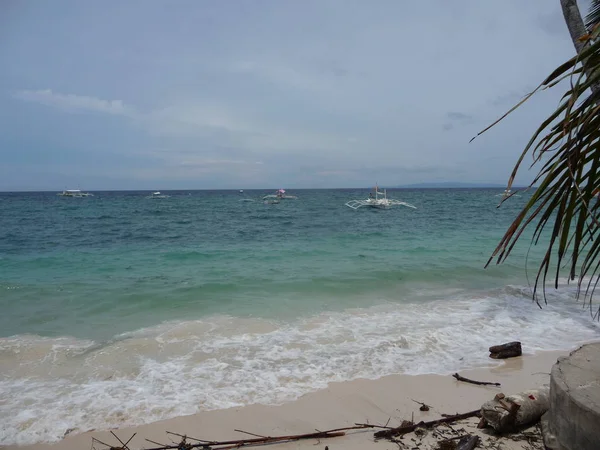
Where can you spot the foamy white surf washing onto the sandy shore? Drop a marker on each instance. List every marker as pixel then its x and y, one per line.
pixel 50 385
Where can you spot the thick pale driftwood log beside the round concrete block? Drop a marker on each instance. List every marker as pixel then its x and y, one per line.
pixel 507 413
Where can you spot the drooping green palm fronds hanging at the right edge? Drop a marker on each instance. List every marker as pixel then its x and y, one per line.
pixel 564 209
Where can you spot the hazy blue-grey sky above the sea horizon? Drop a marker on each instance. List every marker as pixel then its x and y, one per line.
pixel 146 94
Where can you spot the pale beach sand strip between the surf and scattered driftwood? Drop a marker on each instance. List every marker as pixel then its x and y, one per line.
pixel 344 404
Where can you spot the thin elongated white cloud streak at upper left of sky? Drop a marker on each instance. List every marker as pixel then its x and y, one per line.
pixel 72 102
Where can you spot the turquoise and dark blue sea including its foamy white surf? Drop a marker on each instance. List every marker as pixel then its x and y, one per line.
pixel 119 310
